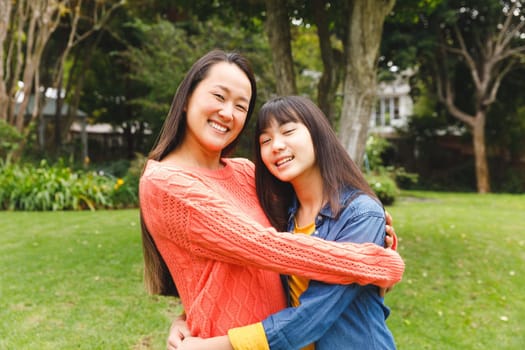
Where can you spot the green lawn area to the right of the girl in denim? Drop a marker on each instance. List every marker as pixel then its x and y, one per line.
pixel 464 282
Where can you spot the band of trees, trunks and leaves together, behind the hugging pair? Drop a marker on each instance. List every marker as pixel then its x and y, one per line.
pixel 121 61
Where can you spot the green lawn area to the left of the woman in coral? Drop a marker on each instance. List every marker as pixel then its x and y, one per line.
pixel 73 280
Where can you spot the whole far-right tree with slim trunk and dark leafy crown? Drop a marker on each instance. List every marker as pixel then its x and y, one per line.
pixel 463 51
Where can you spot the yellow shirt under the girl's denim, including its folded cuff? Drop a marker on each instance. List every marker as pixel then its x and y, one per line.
pixel 253 337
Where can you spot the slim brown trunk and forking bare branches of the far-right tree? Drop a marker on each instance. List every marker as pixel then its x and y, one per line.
pixel 489 56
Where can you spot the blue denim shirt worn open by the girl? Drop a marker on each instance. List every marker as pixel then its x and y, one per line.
pixel 337 316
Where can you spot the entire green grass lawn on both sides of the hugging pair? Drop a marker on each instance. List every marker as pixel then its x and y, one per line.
pixel 73 280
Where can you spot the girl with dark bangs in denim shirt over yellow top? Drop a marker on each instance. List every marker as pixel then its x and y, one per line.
pixel 301 166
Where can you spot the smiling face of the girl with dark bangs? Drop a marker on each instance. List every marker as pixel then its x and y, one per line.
pixel 287 151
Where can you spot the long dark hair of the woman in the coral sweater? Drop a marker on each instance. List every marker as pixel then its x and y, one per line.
pixel 157 277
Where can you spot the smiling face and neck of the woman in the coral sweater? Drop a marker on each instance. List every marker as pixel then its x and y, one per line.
pixel 217 109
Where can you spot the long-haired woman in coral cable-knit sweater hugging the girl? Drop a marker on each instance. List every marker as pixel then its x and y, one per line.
pixel 203 228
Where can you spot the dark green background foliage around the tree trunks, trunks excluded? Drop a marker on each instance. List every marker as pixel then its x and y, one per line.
pixel 133 53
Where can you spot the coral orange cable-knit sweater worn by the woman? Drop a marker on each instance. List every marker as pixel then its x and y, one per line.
pixel 224 256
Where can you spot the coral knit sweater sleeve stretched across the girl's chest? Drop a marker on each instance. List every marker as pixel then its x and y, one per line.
pixel 198 219
